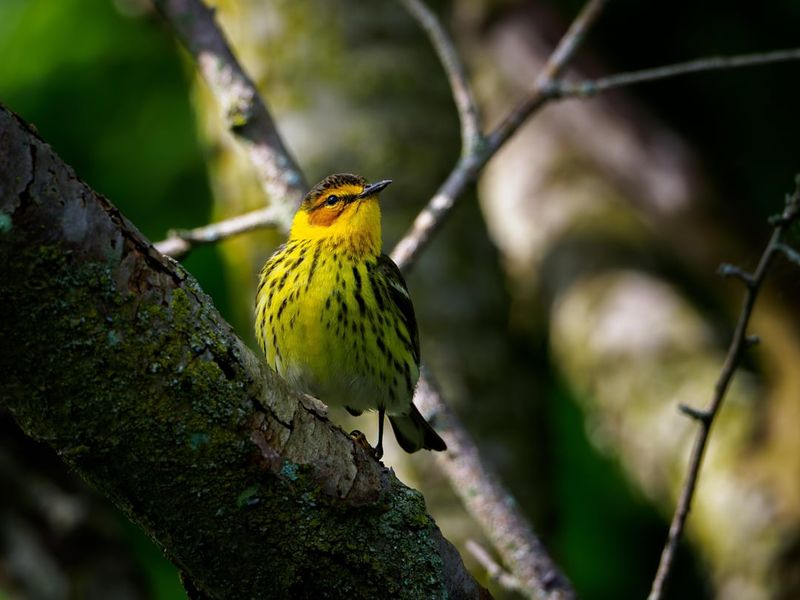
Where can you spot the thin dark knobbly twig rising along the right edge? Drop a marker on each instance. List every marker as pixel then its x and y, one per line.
pixel 705 417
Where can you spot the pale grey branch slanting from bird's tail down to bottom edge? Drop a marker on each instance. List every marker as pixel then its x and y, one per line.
pixel 491 504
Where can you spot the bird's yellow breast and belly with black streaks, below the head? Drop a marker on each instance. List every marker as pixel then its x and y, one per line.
pixel 327 324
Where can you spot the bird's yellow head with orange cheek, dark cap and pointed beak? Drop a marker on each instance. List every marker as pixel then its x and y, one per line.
pixel 341 206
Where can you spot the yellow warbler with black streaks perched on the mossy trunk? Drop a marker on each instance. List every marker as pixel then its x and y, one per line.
pixel 333 314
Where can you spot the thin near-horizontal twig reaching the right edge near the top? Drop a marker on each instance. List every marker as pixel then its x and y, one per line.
pixel 592 87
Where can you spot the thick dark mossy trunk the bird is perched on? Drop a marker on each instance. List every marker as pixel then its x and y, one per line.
pixel 115 358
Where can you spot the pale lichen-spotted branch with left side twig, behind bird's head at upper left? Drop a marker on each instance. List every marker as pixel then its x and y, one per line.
pixel 247 118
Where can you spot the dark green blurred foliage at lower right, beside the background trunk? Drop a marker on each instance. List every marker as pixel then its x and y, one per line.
pixel 608 537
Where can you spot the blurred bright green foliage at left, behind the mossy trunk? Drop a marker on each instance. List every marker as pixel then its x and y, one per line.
pixel 109 91
